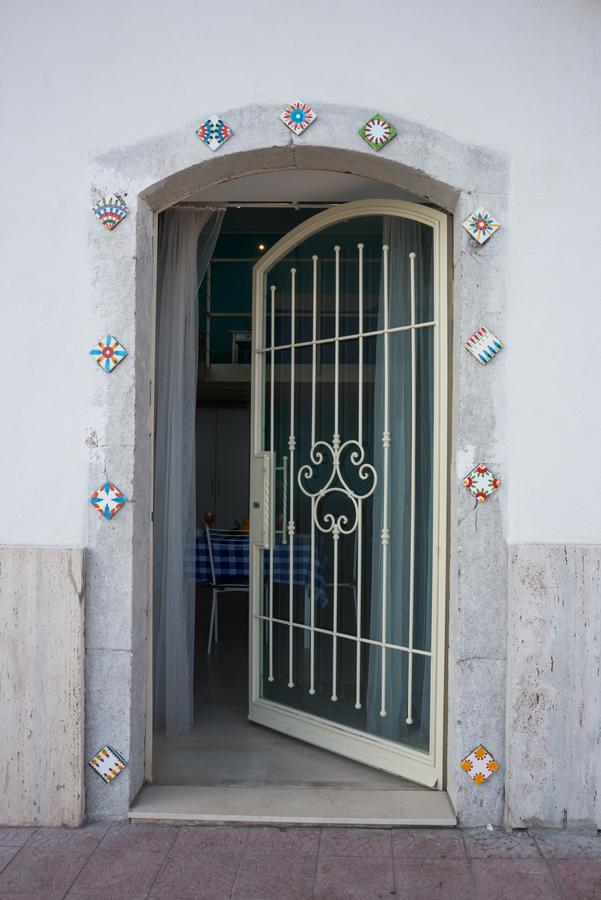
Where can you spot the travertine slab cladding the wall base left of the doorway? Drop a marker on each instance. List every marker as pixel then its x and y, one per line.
pixel 41 686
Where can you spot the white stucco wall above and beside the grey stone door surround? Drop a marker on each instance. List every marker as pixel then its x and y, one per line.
pixel 523 78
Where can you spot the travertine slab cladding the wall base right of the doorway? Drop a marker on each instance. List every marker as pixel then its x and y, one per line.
pixel 553 769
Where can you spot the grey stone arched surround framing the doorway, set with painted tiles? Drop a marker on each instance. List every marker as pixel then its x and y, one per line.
pixel 158 172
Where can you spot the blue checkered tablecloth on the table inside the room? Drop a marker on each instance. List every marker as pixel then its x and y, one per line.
pixel 230 559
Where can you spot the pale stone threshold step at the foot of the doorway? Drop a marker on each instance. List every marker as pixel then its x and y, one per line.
pixel 291 806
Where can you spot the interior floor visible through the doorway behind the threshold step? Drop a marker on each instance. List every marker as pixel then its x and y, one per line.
pixel 224 748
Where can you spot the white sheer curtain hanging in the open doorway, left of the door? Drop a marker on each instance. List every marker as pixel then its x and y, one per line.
pixel 186 241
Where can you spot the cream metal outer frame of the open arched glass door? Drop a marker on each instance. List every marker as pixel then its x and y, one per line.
pixel 424 768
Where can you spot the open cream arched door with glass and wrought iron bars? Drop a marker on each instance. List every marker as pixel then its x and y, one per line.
pixel 348 486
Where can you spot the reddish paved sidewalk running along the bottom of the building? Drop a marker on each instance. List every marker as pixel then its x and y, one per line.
pixel 118 861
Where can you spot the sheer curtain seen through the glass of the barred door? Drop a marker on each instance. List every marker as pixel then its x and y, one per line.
pixel 403 237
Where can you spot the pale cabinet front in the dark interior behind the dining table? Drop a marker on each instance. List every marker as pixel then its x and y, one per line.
pixel 222 465
